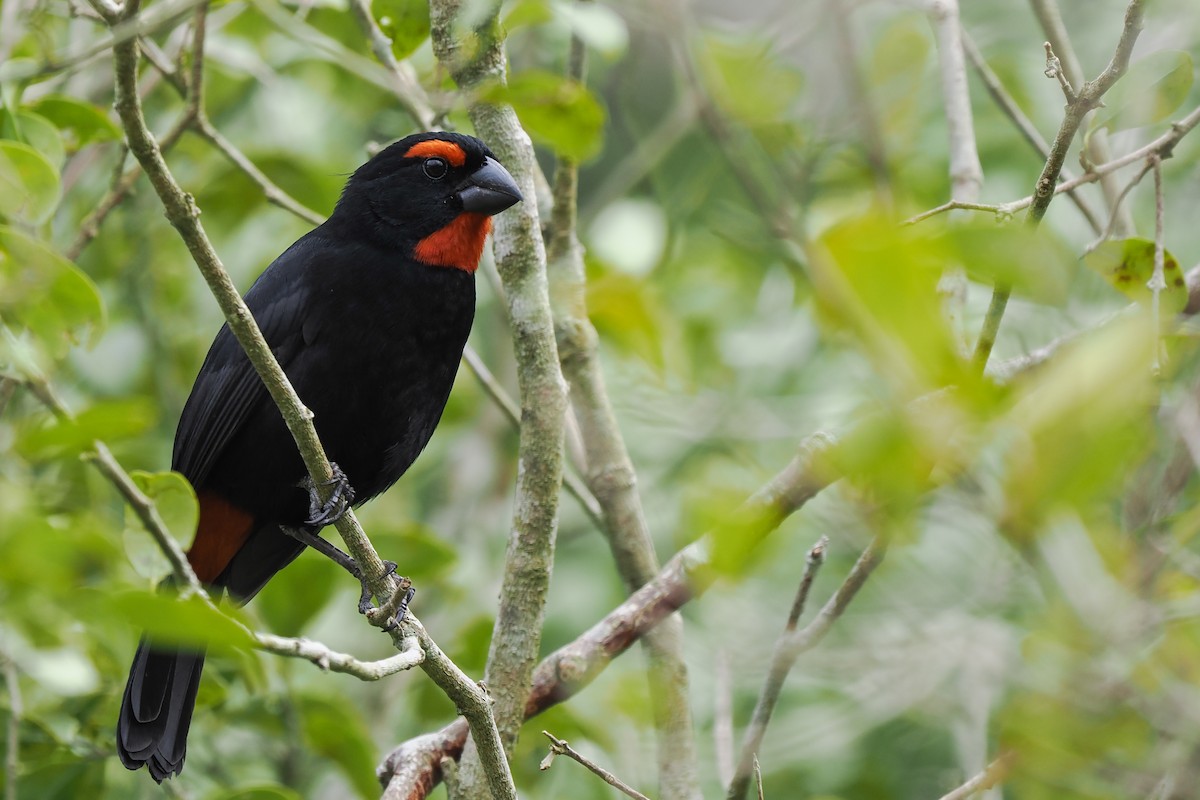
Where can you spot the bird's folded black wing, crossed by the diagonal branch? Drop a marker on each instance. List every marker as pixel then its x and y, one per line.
pixel 227 390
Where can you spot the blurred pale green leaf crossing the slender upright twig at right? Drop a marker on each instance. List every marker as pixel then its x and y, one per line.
pixel 1035 263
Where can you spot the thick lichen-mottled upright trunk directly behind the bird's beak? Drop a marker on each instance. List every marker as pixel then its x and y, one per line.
pixel 521 263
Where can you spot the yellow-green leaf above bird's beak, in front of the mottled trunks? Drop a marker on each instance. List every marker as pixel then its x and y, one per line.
pixel 557 112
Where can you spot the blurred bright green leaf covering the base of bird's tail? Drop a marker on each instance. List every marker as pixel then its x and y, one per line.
pixel 175 621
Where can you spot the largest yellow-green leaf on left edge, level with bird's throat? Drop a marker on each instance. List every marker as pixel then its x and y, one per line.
pixel 45 293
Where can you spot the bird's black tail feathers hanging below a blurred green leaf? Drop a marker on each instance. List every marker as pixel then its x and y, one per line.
pixel 157 711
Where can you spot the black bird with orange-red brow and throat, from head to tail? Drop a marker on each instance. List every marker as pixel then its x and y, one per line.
pixel 369 316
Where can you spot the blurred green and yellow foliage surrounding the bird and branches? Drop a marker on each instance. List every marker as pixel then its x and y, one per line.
pixel 1041 593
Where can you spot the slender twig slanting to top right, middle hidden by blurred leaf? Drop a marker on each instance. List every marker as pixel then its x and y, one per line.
pixel 1084 101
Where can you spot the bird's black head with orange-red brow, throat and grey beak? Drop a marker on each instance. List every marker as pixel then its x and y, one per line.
pixel 433 196
